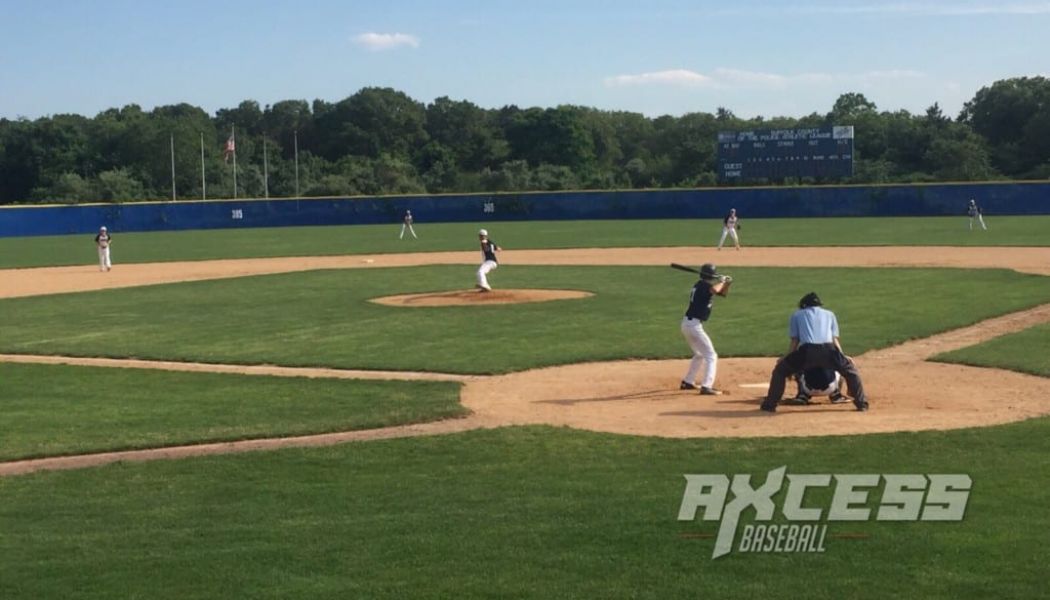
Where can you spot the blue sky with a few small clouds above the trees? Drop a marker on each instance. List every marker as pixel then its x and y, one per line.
pixel 657 57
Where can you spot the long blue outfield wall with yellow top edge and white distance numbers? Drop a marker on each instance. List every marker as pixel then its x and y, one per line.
pixel 751 203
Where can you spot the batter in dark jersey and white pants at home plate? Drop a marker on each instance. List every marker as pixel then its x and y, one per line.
pixel 701 299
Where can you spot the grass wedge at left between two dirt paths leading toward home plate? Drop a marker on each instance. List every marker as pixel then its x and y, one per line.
pixel 55 410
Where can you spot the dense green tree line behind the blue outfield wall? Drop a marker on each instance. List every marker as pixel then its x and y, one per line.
pixel 381 141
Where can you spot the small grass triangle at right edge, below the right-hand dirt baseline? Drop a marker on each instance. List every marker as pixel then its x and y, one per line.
pixel 1026 351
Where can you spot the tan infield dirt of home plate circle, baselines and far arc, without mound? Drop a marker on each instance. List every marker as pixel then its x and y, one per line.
pixel 907 392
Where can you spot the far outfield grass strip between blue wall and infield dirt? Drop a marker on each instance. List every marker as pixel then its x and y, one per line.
pixel 201 245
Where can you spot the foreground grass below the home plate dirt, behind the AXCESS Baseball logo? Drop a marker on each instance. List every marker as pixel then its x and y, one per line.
pixel 520 513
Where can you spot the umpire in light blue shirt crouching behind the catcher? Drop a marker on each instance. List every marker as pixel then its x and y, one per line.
pixel 814 343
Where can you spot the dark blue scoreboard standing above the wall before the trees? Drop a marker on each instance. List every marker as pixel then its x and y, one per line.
pixel 774 155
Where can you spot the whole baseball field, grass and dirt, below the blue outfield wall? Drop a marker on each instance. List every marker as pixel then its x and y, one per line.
pixel 331 413
